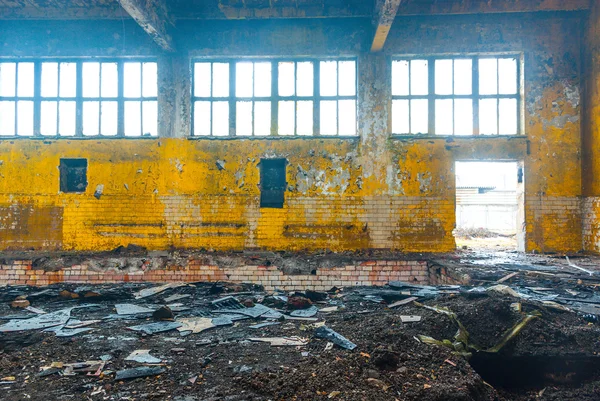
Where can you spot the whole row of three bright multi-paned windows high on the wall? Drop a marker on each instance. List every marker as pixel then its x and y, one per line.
pixel 475 95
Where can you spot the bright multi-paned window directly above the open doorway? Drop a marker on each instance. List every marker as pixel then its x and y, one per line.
pixel 474 95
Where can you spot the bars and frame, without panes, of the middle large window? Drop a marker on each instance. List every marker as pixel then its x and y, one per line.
pixel 275 98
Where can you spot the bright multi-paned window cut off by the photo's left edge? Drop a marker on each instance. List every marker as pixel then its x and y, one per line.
pixel 78 98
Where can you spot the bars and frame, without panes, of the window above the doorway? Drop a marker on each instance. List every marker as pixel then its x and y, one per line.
pixel 475 96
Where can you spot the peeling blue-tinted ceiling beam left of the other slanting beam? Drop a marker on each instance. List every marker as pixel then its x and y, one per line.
pixel 153 16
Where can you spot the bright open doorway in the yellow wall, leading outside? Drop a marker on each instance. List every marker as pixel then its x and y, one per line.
pixel 490 205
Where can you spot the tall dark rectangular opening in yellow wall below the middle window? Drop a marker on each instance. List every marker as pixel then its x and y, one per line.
pixel 273 182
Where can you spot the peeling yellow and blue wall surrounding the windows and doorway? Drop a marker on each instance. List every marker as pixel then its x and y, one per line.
pixel 372 192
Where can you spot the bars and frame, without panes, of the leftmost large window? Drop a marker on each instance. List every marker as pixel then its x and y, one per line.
pixel 79 100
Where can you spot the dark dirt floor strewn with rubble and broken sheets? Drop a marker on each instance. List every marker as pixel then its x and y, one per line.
pixel 413 351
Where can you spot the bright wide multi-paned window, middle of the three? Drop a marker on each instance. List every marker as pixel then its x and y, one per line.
pixel 274 97
